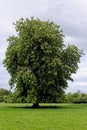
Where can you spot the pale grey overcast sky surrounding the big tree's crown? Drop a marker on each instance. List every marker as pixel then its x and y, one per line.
pixel 71 15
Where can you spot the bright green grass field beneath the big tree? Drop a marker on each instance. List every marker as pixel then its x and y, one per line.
pixel 62 117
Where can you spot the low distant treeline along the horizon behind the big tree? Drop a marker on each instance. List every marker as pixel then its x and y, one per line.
pixel 8 97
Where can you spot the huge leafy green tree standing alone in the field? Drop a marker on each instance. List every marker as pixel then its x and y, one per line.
pixel 38 61
